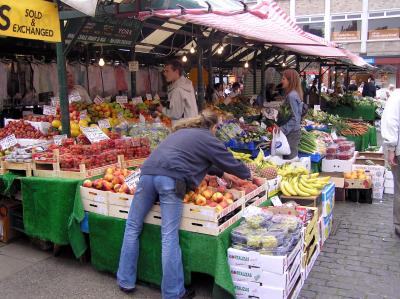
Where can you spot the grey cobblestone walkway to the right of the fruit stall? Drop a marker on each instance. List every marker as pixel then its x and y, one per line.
pixel 361 259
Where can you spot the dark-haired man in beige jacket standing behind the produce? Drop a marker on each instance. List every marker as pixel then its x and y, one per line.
pixel 182 101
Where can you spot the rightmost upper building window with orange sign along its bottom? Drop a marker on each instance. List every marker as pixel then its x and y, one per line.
pixel 384 28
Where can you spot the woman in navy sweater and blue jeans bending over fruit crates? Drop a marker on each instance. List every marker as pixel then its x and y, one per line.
pixel 176 166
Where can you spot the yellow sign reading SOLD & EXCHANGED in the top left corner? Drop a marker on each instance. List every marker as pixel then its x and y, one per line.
pixel 33 19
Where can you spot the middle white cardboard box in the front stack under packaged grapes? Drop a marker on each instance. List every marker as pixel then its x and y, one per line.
pixel 267 279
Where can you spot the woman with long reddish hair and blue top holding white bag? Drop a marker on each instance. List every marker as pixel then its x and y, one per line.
pixel 294 100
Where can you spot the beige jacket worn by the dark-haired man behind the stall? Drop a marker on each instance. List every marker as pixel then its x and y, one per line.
pixel 182 100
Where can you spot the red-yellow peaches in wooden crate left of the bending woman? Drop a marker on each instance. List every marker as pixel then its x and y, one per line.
pixel 113 181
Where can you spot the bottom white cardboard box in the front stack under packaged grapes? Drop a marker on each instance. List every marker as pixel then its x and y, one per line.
pixel 258 291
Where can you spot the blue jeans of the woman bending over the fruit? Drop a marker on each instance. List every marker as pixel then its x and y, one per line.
pixel 172 285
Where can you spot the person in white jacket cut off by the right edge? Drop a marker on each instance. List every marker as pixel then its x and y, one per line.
pixel 390 128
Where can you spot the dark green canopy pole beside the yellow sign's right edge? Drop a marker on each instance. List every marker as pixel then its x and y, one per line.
pixel 62 82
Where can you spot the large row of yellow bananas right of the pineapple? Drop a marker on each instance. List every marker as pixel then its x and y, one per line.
pixel 303 185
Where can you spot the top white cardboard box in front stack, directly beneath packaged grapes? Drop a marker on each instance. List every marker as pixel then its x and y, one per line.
pixel 270 263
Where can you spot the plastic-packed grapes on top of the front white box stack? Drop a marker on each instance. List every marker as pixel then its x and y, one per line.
pixel 267 233
